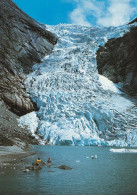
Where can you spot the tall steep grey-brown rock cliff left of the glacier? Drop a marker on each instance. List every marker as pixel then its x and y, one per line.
pixel 23 42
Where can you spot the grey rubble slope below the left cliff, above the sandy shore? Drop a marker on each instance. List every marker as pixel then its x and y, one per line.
pixel 10 132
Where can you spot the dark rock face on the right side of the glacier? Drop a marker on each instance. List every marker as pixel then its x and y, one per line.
pixel 117 60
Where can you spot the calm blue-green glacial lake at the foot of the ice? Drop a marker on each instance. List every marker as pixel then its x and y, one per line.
pixel 111 173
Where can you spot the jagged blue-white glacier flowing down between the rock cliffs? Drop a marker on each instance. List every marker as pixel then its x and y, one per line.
pixel 77 106
